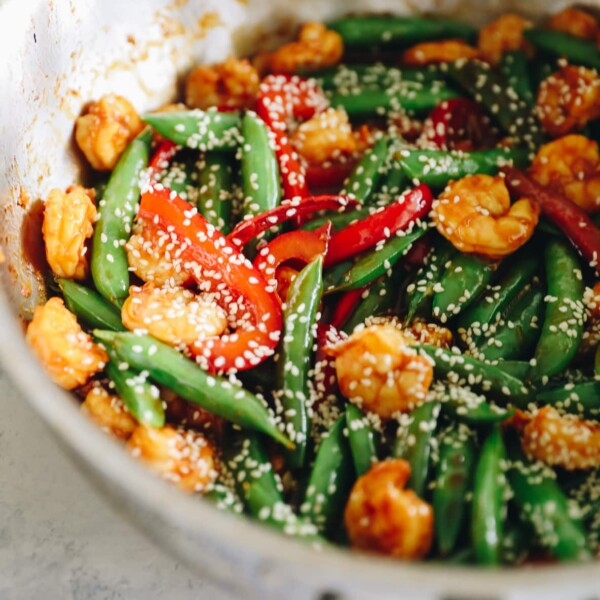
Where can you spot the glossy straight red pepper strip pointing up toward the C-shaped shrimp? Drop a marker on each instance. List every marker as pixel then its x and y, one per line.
pixel 367 232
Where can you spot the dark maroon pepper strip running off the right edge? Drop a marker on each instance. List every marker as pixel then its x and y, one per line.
pixel 566 215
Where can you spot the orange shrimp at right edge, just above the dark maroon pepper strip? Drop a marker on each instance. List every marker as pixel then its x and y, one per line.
pixel 571 164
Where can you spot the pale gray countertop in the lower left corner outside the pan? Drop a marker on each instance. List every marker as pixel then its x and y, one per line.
pixel 59 538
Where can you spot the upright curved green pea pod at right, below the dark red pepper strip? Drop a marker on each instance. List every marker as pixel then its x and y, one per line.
pixel 564 319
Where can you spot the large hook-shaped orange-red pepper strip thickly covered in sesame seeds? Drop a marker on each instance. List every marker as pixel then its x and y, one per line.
pixel 218 267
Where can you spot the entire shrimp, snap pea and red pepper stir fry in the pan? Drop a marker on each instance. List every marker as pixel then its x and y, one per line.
pixel 356 300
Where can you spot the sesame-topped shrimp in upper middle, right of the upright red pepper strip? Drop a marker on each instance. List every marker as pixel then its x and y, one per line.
pixel 326 136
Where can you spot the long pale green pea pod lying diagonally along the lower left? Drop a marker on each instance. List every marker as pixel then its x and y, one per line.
pixel 168 367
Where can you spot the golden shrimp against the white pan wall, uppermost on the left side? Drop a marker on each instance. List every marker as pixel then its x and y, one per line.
pixel 106 129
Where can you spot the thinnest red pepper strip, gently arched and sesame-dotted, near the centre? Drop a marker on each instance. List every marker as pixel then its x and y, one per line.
pixel 248 229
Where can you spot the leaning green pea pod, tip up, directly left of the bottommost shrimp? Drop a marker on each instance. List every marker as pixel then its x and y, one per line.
pixel 330 481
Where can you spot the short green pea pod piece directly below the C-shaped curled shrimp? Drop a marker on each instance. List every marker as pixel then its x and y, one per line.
pixel 463 281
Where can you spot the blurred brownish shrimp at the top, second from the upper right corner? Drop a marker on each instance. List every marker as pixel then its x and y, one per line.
pixel 502 35
